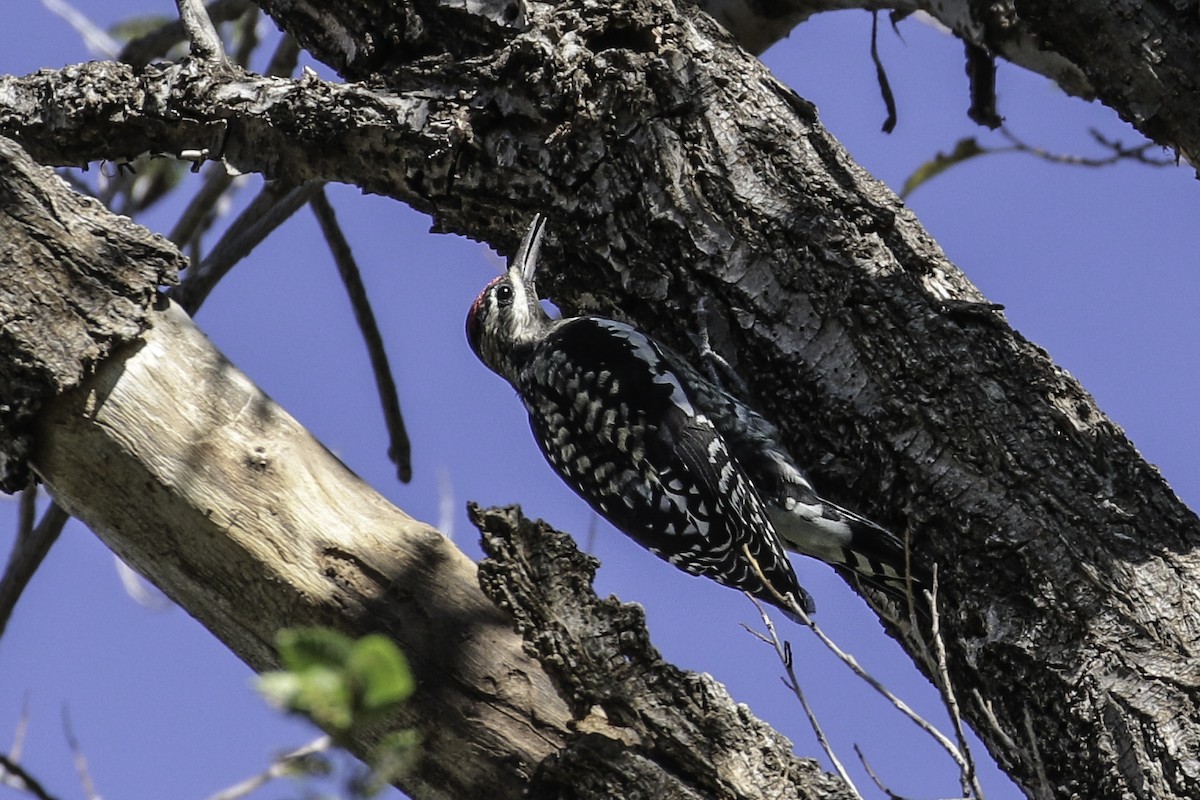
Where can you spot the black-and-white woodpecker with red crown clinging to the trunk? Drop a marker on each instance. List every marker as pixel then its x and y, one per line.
pixel 673 460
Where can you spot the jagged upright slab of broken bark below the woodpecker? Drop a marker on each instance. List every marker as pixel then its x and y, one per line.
pixel 605 666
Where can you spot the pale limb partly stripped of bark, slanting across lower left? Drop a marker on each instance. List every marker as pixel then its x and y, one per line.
pixel 202 484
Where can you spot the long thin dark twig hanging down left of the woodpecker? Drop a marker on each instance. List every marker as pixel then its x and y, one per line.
pixel 400 449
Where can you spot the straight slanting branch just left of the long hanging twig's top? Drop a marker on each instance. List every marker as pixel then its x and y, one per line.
pixel 271 208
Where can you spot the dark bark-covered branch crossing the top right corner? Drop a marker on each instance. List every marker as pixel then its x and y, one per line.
pixel 1142 59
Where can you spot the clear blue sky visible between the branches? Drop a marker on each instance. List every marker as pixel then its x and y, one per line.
pixel 1096 266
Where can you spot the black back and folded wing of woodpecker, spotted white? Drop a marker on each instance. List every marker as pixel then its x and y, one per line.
pixel 614 419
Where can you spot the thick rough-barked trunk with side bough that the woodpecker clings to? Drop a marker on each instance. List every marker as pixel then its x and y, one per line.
pixel 682 170
